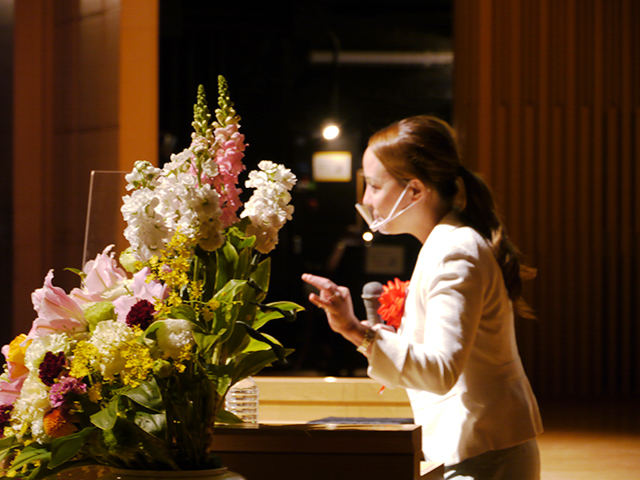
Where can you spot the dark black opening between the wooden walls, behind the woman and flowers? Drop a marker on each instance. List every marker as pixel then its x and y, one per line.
pixel 284 97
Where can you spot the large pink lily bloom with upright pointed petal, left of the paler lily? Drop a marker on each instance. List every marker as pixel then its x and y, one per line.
pixel 57 311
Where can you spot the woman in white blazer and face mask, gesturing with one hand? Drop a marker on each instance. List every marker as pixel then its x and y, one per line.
pixel 455 350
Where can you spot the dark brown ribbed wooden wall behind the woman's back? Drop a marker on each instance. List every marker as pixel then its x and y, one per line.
pixel 563 82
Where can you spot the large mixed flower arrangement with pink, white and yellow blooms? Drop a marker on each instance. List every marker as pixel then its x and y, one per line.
pixel 130 370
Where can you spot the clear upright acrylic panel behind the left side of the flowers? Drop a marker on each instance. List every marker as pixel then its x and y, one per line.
pixel 105 225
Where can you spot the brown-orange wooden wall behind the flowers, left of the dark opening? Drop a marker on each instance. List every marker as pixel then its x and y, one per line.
pixel 86 87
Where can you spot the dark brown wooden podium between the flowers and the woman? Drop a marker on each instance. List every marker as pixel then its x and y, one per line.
pixel 327 451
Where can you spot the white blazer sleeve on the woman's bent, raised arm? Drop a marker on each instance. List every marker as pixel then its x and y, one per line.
pixel 448 306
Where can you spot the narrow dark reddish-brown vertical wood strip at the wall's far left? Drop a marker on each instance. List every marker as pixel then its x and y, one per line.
pixel 32 166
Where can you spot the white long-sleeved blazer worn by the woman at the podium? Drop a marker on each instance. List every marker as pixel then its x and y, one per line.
pixel 456 352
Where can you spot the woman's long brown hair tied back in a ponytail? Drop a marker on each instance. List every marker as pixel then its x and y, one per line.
pixel 425 148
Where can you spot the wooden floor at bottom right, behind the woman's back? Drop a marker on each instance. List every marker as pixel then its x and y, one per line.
pixel 589 441
